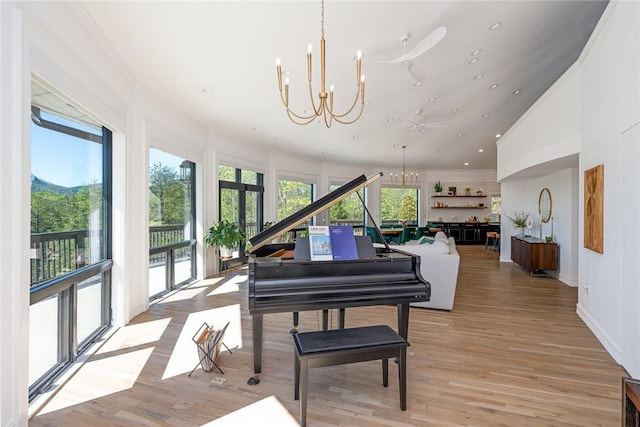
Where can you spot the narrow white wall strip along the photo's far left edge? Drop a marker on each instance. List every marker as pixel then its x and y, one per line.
pixel 14 226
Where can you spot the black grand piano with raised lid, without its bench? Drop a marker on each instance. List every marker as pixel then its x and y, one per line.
pixel 282 278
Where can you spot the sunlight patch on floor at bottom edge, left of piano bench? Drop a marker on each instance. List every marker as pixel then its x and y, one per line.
pixel 268 411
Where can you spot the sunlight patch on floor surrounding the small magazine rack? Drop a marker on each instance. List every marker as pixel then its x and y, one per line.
pixel 184 356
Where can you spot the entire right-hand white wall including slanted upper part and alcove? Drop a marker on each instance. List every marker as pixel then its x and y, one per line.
pixel 593 110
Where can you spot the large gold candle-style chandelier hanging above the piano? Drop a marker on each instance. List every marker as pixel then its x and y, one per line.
pixel 323 106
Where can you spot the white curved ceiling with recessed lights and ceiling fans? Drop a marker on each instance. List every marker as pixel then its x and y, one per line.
pixel 180 48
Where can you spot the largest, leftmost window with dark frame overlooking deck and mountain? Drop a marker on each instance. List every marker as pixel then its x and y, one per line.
pixel 70 257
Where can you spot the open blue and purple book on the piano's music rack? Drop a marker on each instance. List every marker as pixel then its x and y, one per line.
pixel 332 242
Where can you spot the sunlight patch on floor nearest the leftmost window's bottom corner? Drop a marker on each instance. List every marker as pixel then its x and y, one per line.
pixel 91 383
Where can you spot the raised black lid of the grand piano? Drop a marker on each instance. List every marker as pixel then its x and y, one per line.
pixel 307 212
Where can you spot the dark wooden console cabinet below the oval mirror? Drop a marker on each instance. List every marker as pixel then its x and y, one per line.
pixel 534 254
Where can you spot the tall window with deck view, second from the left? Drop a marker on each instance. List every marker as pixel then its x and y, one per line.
pixel 171 222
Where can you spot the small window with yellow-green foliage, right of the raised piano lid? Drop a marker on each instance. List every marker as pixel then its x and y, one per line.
pixel 399 205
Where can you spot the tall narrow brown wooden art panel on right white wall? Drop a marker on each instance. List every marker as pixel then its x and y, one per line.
pixel 594 208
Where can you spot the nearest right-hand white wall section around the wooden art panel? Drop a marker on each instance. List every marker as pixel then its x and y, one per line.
pixel 610 282
